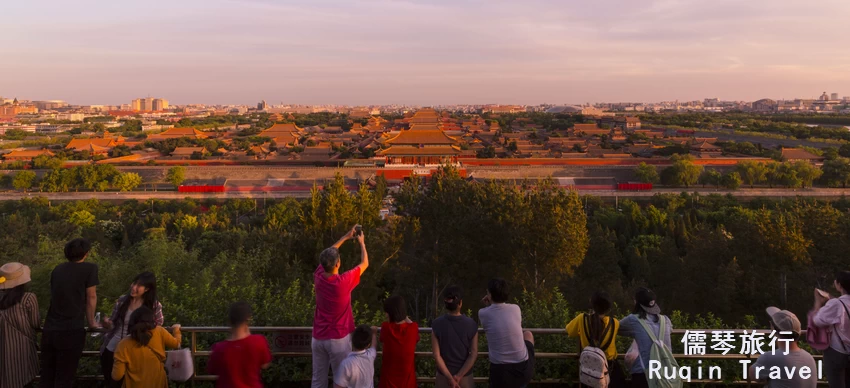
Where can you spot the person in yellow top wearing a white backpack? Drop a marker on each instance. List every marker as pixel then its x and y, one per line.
pixel 597 333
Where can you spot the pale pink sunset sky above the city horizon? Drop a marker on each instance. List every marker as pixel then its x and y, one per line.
pixel 422 52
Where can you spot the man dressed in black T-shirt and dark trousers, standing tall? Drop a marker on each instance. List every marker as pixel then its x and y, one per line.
pixel 73 299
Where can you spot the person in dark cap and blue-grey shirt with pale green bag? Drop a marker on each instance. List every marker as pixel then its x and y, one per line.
pixel 651 332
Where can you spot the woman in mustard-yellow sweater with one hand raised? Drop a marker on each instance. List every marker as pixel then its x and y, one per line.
pixel 140 358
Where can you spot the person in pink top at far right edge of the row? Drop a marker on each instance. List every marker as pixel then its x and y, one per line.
pixel 833 314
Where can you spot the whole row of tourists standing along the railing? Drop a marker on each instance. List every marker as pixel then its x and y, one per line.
pixel 134 346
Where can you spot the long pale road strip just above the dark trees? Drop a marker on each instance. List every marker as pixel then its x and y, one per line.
pixel 173 195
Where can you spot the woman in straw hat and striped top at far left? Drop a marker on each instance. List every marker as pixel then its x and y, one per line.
pixel 18 321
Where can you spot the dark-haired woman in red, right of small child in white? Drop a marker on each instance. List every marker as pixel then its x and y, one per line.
pixel 399 336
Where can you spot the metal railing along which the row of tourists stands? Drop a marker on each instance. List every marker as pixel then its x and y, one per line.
pixel 193 332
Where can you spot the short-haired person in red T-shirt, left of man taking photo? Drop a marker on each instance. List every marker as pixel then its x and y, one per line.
pixel 238 360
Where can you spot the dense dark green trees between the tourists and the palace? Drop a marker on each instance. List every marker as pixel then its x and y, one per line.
pixel 709 256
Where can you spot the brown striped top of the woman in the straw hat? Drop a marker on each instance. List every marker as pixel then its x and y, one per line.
pixel 18 358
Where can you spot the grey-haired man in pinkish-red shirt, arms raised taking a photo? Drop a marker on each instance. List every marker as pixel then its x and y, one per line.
pixel 333 321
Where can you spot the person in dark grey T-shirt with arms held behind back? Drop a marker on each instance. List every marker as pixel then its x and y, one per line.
pixel 454 341
